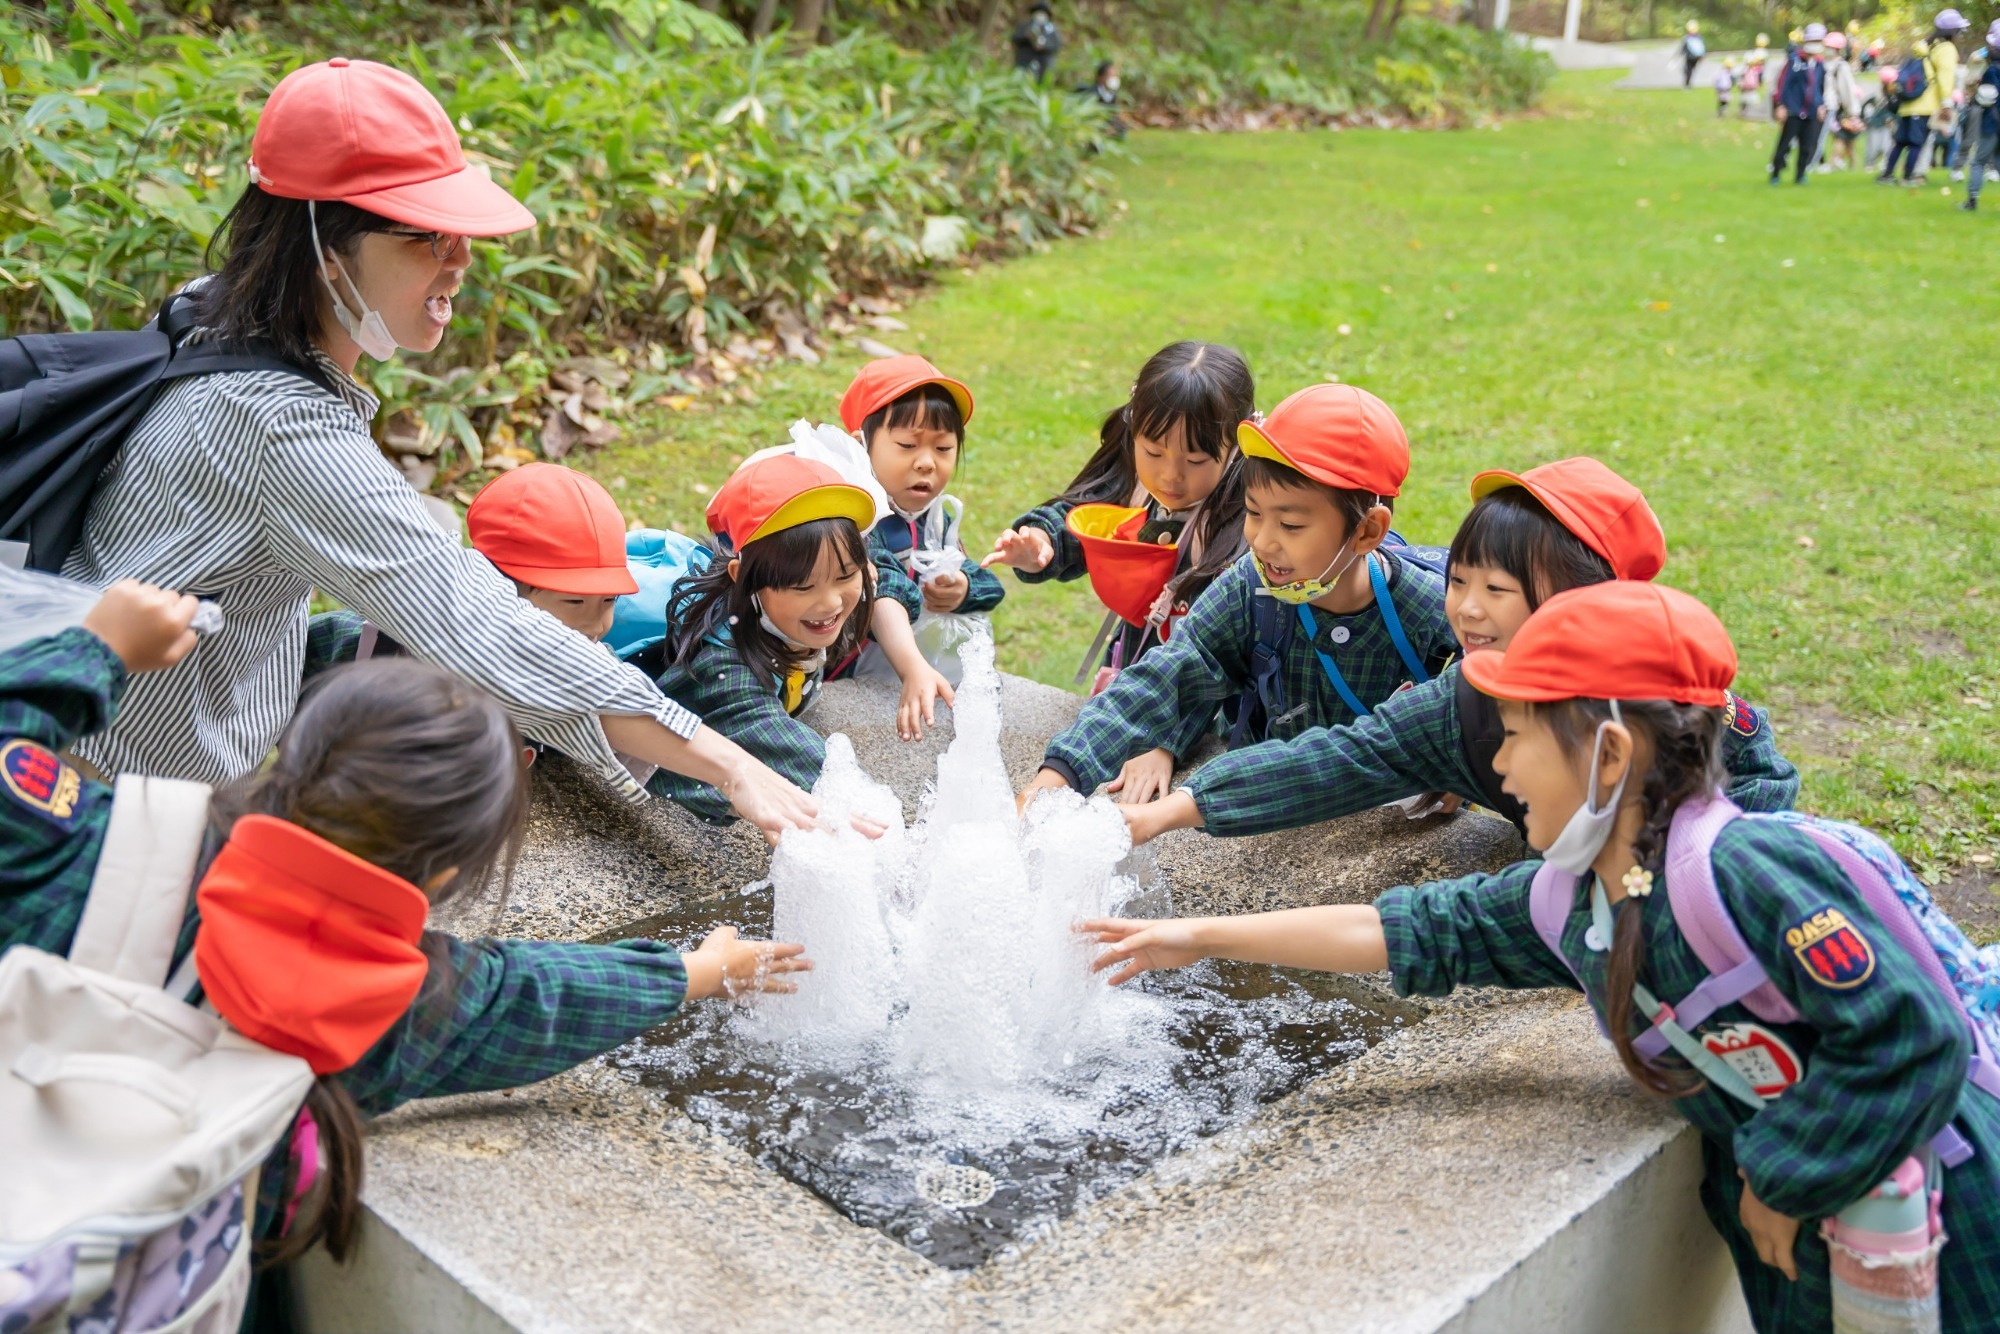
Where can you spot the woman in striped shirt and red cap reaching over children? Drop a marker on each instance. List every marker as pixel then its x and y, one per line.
pixel 255 489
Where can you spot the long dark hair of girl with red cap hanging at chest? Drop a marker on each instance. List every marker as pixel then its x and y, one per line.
pixel 1207 391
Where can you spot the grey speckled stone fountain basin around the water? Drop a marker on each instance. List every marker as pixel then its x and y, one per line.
pixel 1487 1169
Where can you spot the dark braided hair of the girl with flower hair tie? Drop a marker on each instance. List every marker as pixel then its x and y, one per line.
pixel 1687 765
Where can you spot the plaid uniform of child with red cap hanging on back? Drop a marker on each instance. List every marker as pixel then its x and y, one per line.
pixel 499 1015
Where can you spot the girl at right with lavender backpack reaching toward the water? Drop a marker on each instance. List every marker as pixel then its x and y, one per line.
pixel 1791 989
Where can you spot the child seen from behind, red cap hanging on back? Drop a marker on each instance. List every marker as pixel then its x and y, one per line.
pixel 397 787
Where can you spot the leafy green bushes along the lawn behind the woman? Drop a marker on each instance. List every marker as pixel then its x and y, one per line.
pixel 691 189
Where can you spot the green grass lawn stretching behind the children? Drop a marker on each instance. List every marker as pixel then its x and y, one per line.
pixel 1803 383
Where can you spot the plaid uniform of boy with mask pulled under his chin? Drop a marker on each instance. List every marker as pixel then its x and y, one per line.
pixel 1171 697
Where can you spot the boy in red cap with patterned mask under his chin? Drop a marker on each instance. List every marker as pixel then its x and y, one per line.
pixel 1315 627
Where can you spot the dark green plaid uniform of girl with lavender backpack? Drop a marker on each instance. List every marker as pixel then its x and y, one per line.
pixel 1885 1061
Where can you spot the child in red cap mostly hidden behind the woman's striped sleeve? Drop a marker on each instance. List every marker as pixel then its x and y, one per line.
pixel 557 533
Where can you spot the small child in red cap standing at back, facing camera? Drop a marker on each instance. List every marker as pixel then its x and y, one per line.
pixel 911 419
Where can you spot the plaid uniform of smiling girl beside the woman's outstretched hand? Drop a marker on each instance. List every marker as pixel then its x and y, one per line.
pixel 743 709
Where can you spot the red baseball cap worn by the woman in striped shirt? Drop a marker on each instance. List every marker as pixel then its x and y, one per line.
pixel 373 137
